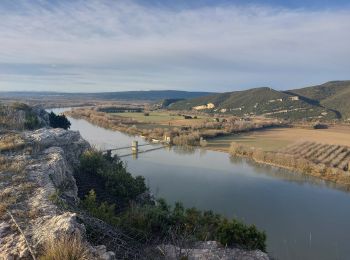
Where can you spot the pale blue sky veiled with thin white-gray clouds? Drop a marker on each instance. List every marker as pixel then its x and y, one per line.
pixel 219 45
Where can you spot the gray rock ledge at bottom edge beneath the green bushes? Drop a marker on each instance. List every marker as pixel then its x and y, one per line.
pixel 210 250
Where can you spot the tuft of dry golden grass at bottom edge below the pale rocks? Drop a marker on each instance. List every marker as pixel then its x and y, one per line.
pixel 66 248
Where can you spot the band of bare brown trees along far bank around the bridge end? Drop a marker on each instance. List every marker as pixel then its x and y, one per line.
pixel 184 132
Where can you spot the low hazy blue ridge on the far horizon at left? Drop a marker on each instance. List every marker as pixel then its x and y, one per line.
pixel 151 95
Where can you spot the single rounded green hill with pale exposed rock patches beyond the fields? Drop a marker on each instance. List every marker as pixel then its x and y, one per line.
pixel 258 101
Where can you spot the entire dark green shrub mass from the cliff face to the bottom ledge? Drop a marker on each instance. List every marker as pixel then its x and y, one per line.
pixel 155 219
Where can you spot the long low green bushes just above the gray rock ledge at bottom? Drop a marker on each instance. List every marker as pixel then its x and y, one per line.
pixel 161 219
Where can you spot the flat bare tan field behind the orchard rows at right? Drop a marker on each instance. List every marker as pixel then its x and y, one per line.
pixel 276 139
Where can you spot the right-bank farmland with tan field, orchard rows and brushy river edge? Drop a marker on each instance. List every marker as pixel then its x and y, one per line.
pixel 322 153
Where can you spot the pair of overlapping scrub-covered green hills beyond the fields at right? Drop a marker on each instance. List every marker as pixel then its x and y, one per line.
pixel 326 101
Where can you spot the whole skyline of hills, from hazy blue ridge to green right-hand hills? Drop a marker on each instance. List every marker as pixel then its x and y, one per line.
pixel 330 100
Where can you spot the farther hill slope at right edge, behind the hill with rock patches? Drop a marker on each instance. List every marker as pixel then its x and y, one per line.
pixel 333 95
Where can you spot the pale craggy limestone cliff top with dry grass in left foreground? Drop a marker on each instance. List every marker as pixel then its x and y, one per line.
pixel 39 190
